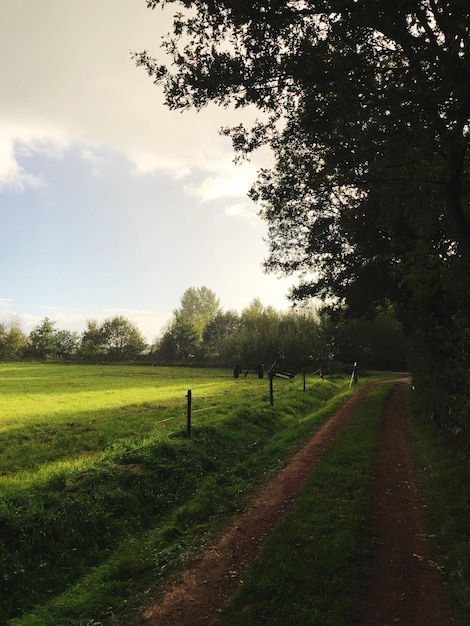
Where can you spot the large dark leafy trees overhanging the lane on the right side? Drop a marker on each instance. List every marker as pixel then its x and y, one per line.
pixel 366 107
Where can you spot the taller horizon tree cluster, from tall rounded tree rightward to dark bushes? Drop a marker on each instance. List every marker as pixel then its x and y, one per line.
pixel 201 332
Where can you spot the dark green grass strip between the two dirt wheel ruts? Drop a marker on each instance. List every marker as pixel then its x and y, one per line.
pixel 311 568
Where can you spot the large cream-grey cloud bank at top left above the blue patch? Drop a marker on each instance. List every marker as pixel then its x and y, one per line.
pixel 71 76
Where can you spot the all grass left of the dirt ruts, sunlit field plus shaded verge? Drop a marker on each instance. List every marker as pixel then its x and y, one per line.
pixel 102 493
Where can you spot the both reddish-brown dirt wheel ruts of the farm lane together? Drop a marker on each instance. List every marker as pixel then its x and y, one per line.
pixel 405 588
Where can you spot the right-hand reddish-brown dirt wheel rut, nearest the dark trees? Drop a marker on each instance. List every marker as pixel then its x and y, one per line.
pixel 405 587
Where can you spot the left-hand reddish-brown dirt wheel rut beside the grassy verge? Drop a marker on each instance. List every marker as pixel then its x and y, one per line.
pixel 207 583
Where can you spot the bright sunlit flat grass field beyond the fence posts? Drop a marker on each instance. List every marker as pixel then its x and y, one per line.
pixel 54 415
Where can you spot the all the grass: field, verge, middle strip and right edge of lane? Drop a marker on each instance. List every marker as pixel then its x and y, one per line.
pixel 103 495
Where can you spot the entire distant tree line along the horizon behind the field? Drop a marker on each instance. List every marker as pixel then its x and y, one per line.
pixel 201 333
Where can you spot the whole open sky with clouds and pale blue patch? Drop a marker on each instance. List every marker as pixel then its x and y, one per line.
pixel 110 204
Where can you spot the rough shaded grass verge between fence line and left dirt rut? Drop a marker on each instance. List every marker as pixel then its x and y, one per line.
pixel 78 547
